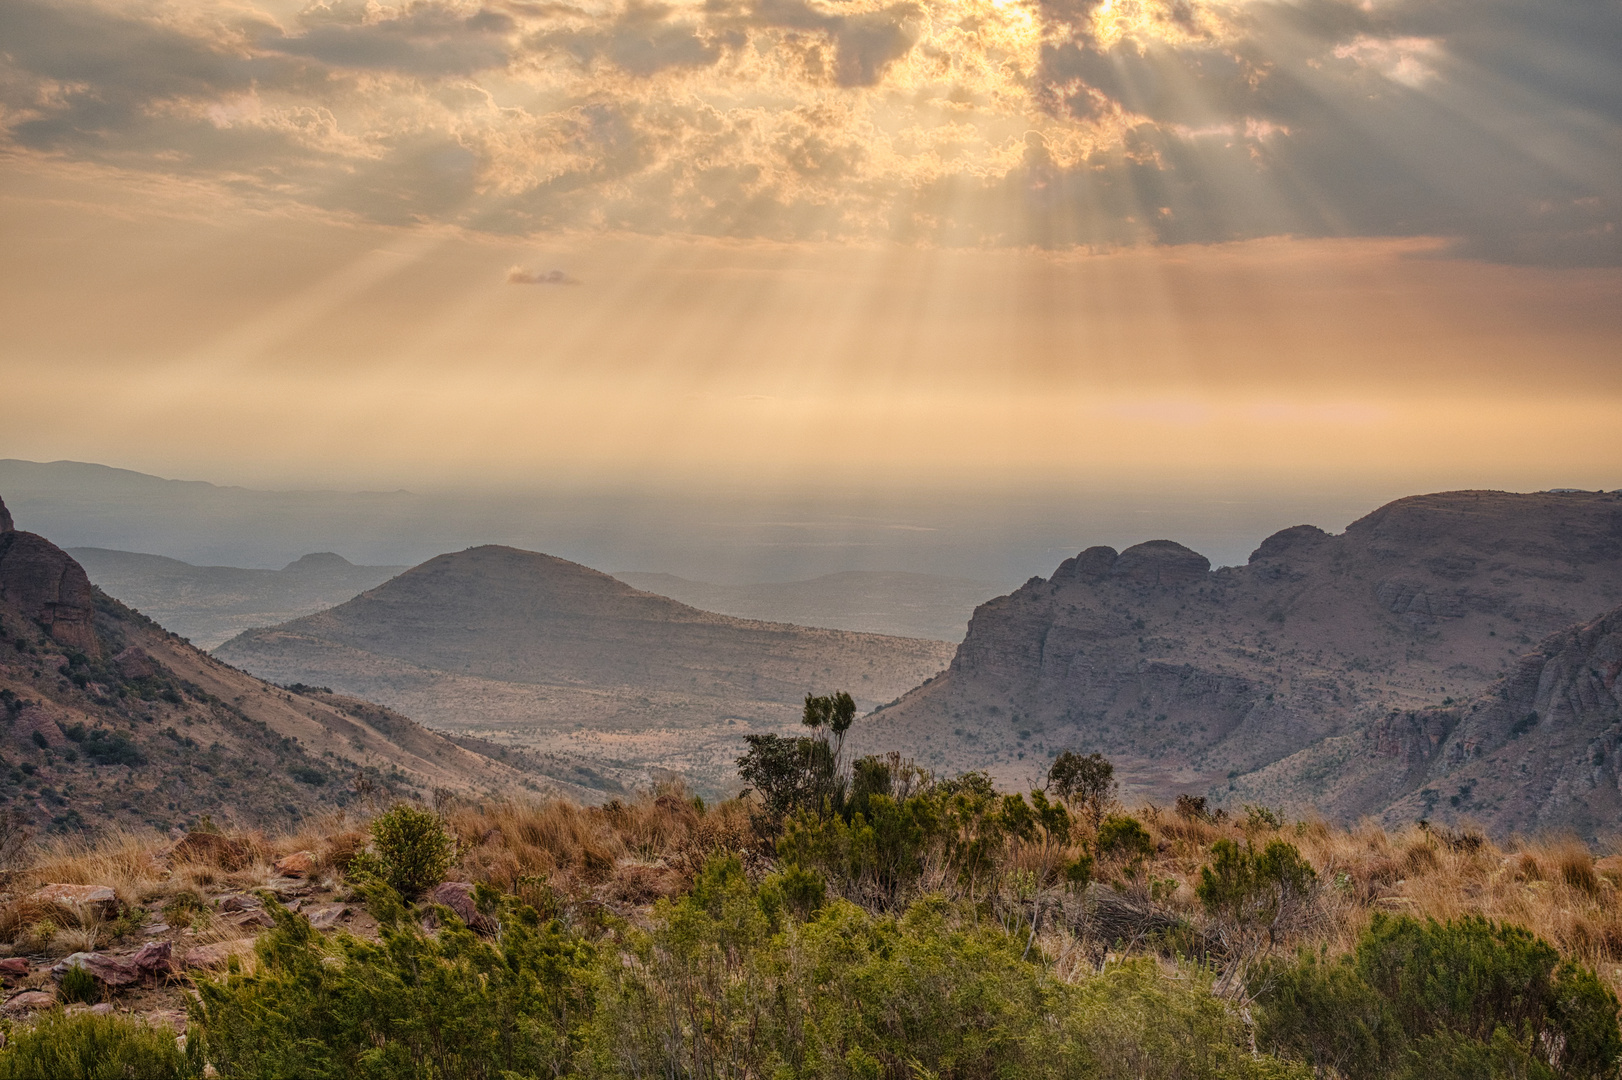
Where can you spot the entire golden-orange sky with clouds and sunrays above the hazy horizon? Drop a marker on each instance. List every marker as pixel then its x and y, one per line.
pixel 836 249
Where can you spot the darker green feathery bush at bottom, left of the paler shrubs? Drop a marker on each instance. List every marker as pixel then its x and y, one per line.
pixel 413 1006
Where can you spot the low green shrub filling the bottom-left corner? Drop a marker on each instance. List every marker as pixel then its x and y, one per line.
pixel 92 1048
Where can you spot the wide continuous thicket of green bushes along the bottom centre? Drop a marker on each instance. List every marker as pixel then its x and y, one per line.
pixel 727 982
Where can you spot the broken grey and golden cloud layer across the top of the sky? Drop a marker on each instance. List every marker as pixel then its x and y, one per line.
pixel 1495 124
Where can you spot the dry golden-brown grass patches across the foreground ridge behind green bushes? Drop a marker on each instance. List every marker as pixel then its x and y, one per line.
pixel 630 854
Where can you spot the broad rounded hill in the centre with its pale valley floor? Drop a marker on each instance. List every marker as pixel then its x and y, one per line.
pixel 536 651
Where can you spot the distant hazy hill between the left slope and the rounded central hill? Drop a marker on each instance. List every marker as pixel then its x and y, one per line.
pixel 210 604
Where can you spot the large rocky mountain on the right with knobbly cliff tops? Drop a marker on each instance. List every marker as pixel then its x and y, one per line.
pixel 1199 680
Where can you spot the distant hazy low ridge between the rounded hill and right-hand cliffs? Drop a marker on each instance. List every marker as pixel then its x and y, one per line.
pixel 870 602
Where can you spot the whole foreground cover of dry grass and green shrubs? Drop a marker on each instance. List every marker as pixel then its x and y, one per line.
pixel 865 920
